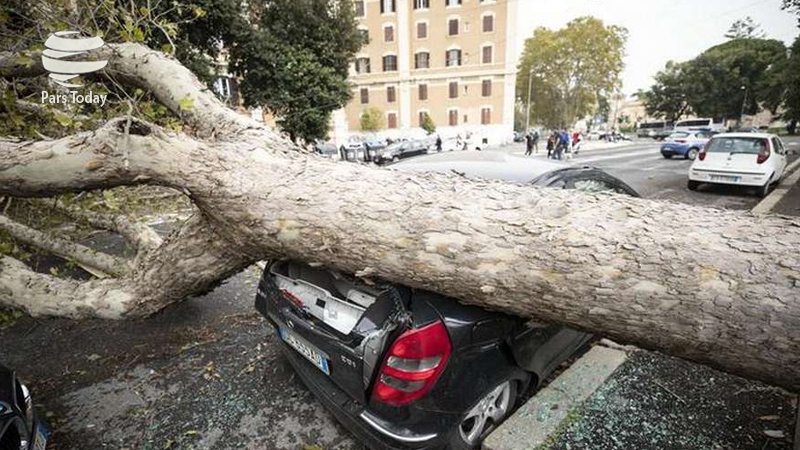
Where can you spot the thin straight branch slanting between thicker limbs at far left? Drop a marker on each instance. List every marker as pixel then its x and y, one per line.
pixel 64 248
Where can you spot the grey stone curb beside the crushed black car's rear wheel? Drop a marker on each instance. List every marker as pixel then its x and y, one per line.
pixel 541 416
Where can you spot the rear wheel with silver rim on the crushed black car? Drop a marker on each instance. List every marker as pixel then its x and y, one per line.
pixel 490 411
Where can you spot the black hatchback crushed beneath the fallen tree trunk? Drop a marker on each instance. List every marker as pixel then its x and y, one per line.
pixel 406 368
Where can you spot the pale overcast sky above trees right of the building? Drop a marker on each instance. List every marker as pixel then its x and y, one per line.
pixel 659 30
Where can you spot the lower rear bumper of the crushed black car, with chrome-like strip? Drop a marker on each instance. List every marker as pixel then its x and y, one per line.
pixel 373 432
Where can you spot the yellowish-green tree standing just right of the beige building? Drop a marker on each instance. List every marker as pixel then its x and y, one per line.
pixel 571 68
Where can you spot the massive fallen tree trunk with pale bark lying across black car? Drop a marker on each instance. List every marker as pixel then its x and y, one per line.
pixel 724 292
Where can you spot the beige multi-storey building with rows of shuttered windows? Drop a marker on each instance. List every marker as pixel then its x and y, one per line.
pixel 453 60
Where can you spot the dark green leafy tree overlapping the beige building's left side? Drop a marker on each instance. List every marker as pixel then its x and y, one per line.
pixel 295 62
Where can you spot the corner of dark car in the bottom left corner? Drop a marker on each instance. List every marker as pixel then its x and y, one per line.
pixel 19 427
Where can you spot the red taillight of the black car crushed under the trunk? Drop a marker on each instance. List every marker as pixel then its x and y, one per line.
pixel 413 364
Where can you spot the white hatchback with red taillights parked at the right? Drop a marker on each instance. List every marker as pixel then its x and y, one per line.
pixel 743 159
